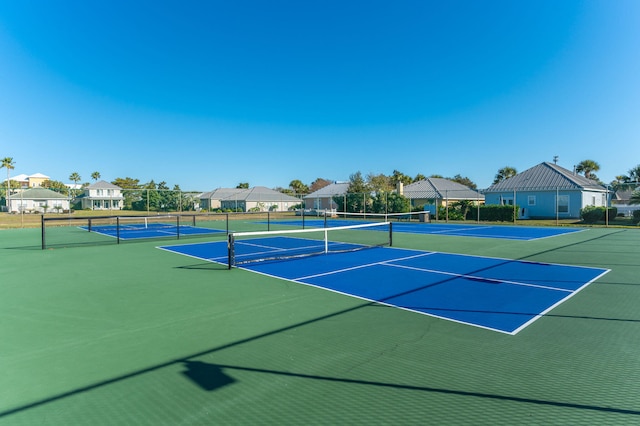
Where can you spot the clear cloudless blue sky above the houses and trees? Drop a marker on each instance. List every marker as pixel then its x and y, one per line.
pixel 208 94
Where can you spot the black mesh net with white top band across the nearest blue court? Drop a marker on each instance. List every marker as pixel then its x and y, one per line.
pixel 248 247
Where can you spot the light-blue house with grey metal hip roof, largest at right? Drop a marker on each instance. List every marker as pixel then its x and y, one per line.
pixel 548 191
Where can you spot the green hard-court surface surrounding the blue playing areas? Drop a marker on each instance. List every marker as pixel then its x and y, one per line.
pixel 132 335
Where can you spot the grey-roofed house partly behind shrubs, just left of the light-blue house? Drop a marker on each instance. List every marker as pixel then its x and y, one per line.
pixel 432 192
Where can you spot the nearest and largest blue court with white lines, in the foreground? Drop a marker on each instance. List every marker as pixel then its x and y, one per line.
pixel 502 295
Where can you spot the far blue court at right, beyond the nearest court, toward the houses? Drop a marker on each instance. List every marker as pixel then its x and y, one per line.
pixel 507 232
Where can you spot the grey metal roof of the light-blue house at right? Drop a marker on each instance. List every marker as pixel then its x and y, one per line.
pixel 545 176
